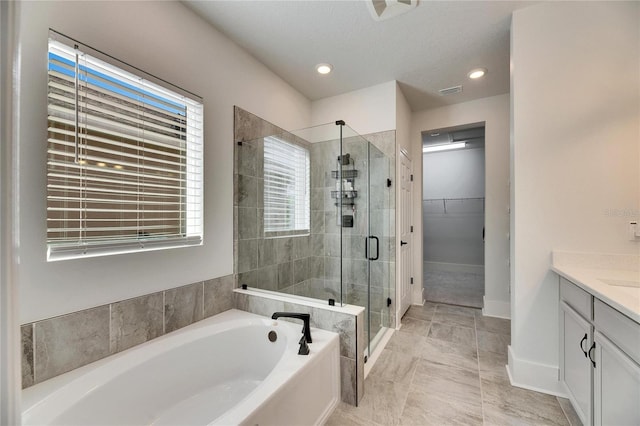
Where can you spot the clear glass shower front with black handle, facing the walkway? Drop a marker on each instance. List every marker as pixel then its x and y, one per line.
pixel 366 219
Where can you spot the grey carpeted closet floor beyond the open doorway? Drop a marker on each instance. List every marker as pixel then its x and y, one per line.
pixel 455 288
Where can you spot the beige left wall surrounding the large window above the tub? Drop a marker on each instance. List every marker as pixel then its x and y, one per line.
pixel 153 37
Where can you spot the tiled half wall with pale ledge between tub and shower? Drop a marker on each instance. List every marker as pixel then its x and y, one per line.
pixel 347 321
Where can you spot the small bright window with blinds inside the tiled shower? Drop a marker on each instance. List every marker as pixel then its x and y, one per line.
pixel 286 188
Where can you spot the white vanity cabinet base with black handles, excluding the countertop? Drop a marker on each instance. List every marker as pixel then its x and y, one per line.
pixel 599 359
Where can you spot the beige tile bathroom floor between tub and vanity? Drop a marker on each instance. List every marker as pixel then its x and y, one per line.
pixel 446 366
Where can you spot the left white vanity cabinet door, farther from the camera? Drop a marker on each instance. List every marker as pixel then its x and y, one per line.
pixel 575 367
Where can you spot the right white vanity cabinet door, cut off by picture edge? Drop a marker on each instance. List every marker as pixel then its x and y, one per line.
pixel 616 385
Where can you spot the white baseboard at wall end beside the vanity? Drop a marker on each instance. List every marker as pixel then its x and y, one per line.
pixel 534 376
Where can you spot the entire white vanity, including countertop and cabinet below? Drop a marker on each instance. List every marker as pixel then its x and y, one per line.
pixel 600 336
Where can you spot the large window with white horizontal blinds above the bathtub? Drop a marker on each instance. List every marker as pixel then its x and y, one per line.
pixel 124 157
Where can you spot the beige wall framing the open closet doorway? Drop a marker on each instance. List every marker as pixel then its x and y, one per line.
pixel 494 112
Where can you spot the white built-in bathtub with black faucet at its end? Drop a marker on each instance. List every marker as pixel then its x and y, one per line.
pixel 220 371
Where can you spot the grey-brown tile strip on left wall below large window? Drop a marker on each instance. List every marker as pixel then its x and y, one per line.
pixel 56 345
